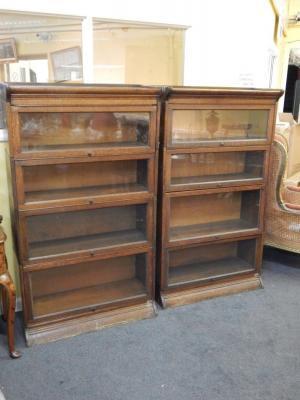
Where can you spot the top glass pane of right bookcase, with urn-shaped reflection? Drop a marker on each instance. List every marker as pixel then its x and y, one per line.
pixel 193 126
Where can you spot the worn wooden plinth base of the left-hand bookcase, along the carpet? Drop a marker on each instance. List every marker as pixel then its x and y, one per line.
pixel 90 323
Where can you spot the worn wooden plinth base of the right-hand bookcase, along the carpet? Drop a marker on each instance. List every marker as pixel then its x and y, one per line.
pixel 182 297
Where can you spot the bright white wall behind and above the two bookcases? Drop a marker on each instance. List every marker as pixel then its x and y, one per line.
pixel 227 43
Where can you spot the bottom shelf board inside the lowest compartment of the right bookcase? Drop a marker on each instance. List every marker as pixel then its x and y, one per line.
pixel 207 270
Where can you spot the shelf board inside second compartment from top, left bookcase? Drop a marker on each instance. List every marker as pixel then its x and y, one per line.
pixel 61 194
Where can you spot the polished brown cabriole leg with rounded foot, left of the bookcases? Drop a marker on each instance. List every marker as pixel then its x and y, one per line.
pixel 7 283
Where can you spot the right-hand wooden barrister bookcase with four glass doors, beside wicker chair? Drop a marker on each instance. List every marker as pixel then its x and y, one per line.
pixel 215 155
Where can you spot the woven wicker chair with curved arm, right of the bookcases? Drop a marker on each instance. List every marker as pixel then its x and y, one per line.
pixel 283 202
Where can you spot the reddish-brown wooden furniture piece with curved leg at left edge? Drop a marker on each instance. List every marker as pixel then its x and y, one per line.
pixel 8 296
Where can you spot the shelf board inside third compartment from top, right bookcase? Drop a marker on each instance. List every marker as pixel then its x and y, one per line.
pixel 210 229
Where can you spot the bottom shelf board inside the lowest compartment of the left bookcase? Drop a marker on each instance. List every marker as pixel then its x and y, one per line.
pixel 88 297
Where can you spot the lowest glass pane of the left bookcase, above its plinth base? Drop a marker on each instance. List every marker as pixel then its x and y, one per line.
pixel 88 284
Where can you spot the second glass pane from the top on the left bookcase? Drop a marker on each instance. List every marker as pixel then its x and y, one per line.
pixel 66 181
